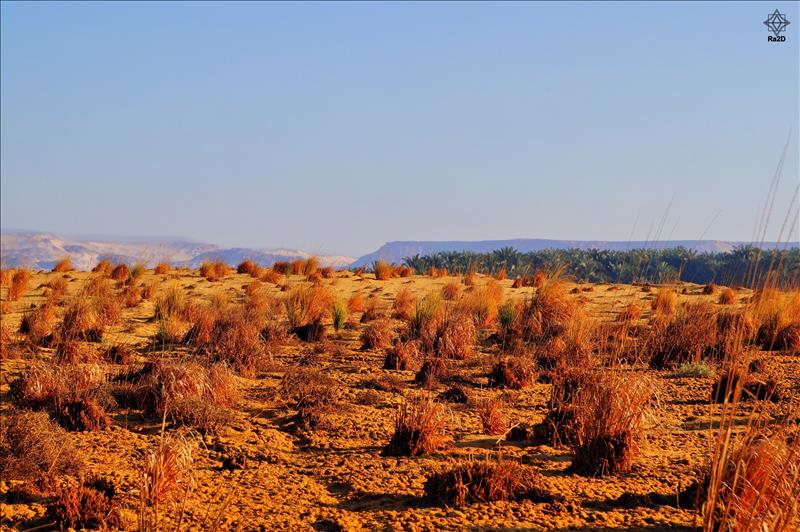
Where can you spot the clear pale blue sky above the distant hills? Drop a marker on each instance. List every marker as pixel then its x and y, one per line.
pixel 335 127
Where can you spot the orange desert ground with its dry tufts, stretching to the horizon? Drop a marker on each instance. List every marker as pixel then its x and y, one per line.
pixel 298 438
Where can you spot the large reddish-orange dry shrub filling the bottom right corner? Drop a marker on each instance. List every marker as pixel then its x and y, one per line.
pixel 754 485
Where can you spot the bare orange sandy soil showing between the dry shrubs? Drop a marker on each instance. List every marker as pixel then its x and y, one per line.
pixel 336 477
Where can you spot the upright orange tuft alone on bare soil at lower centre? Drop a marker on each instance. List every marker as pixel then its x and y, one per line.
pixel 418 428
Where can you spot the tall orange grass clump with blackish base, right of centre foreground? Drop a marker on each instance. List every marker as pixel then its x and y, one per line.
pixel 609 416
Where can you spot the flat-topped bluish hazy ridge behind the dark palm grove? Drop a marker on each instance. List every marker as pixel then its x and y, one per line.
pixel 396 251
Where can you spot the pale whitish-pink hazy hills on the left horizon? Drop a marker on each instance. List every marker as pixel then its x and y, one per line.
pixel 42 250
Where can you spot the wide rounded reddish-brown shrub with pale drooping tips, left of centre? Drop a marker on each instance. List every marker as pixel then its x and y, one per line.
pixel 191 395
